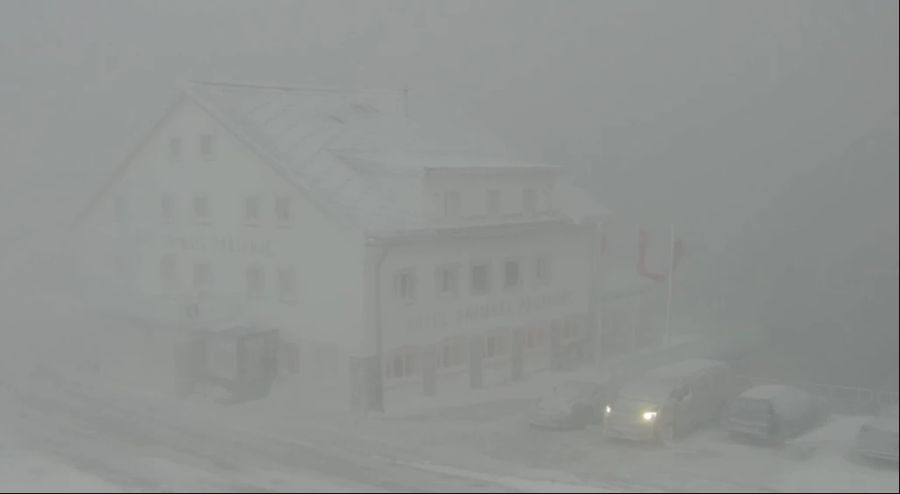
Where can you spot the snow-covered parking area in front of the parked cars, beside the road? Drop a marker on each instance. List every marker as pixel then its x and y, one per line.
pixel 706 461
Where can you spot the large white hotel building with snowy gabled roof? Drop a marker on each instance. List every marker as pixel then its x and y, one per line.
pixel 331 217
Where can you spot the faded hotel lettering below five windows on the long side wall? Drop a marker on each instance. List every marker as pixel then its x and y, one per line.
pixel 475 313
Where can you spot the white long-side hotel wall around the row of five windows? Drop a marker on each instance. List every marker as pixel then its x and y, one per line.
pixel 429 319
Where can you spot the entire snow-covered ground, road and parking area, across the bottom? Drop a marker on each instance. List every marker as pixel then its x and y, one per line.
pixel 127 444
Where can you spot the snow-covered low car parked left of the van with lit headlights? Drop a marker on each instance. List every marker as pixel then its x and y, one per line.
pixel 572 404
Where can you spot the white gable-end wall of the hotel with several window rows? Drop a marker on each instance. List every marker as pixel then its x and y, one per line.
pixel 326 254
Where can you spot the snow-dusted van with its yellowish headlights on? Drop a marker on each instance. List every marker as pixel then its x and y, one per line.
pixel 670 401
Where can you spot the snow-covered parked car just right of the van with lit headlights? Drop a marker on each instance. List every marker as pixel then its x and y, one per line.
pixel 773 412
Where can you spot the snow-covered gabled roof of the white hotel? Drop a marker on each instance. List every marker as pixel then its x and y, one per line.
pixel 355 153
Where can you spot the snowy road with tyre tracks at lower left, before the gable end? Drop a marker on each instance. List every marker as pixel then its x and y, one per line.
pixel 130 451
